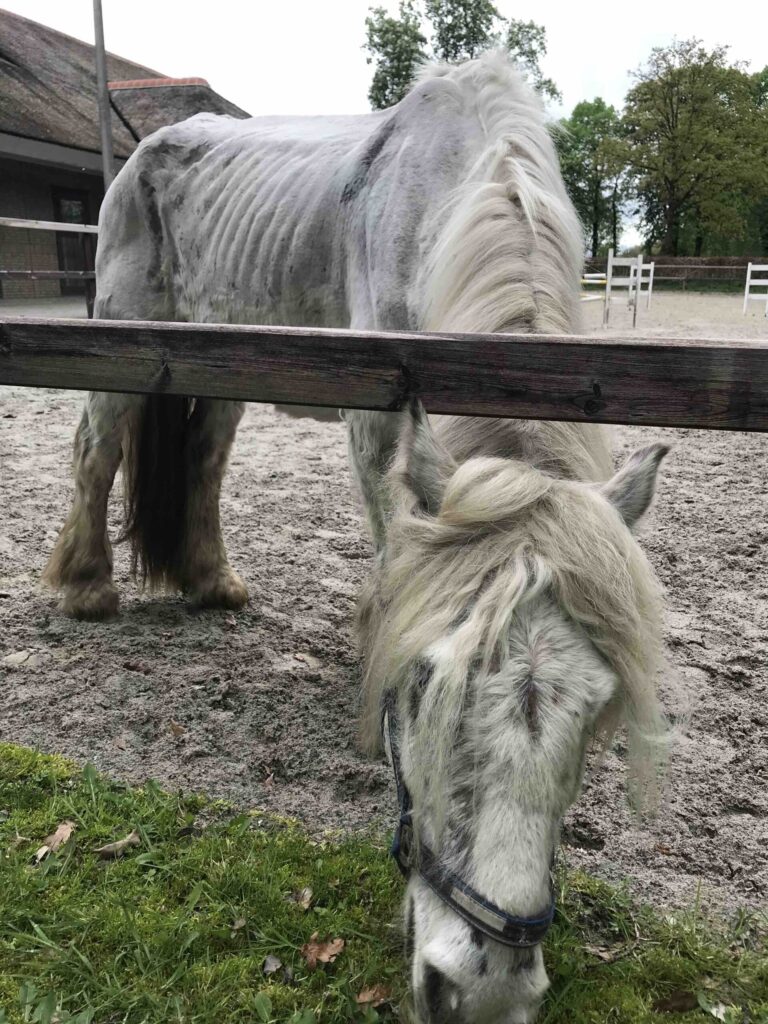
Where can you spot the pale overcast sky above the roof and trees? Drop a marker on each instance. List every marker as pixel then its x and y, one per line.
pixel 306 57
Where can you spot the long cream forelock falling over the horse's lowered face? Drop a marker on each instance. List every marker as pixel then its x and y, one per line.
pixel 506 535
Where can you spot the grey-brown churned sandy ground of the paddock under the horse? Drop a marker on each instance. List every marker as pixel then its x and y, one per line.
pixel 261 707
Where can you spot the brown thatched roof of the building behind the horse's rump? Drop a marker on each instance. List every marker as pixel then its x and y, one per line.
pixel 49 92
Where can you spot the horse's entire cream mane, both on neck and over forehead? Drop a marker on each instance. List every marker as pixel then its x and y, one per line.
pixel 507 257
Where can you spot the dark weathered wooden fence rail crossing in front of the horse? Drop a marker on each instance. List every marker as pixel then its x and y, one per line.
pixel 713 385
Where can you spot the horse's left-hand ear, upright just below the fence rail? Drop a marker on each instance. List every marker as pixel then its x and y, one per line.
pixel 425 466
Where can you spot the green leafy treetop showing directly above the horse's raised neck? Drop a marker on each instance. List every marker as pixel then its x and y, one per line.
pixel 459 30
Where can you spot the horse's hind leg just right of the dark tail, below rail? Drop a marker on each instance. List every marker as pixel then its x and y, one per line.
pixel 206 575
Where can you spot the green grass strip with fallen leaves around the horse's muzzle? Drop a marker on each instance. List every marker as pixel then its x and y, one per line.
pixel 180 928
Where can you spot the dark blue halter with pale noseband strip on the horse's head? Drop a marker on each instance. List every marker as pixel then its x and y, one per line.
pixel 475 909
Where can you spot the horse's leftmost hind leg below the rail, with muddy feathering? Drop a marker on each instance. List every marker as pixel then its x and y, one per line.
pixel 81 562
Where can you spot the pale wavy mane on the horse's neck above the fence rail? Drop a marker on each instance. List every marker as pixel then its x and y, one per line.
pixel 509 253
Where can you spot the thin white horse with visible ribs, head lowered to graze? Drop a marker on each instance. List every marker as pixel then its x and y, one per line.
pixel 511 614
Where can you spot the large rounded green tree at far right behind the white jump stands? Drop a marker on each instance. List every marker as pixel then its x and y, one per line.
pixel 697 144
